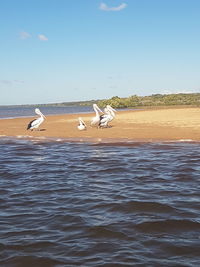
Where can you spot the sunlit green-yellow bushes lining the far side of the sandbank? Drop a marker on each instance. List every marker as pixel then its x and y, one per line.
pixel 153 100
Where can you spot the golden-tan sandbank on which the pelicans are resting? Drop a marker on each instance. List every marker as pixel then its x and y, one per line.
pixel 170 124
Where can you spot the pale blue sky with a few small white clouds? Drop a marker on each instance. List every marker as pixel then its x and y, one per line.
pixel 73 50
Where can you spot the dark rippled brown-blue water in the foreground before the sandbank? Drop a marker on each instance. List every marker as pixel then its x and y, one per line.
pixel 81 204
